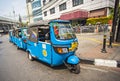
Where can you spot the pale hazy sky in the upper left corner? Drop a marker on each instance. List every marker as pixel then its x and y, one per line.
pixel 7 7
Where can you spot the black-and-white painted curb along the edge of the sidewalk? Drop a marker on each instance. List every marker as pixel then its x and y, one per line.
pixel 101 62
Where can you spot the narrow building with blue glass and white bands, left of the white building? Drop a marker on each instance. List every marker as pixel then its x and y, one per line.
pixel 36 10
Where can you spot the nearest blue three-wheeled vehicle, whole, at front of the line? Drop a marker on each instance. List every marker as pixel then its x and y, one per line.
pixel 54 43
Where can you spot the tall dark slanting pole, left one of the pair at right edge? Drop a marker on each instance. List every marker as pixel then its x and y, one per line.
pixel 114 23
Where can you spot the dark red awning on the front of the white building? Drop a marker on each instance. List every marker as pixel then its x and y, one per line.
pixel 74 15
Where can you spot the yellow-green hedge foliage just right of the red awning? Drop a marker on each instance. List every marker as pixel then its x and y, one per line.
pixel 102 20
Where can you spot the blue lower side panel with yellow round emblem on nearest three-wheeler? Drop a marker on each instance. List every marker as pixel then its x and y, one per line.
pixel 40 50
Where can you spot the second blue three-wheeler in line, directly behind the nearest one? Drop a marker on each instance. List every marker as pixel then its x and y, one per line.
pixel 20 38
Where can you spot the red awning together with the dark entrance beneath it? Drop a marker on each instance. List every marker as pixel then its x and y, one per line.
pixel 77 17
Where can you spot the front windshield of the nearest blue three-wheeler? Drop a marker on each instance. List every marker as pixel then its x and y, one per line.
pixel 64 31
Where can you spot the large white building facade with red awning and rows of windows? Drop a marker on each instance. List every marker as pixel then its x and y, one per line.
pixel 77 11
